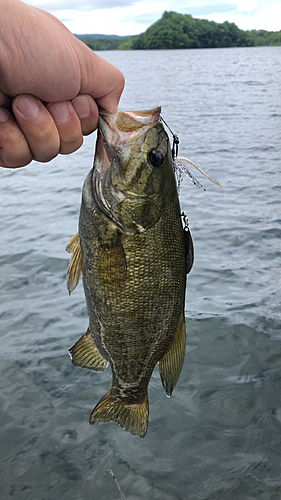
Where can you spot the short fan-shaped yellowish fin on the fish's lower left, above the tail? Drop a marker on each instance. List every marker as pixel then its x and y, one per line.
pixel 86 354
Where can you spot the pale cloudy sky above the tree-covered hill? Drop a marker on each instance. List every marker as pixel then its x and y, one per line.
pixel 130 17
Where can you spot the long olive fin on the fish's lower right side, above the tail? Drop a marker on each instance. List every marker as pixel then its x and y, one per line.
pixel 170 364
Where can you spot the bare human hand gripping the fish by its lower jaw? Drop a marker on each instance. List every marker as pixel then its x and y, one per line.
pixel 51 85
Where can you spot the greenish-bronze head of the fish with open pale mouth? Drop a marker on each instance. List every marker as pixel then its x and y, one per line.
pixel 126 188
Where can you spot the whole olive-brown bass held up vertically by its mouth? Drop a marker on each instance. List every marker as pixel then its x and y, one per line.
pixel 134 254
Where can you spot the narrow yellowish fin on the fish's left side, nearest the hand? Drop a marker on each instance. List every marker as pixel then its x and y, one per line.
pixel 74 271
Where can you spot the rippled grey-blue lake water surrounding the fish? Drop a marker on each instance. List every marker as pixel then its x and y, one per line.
pixel 219 436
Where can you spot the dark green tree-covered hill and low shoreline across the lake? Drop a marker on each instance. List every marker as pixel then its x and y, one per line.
pixel 182 31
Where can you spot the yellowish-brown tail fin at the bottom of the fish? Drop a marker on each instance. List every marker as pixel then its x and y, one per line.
pixel 132 417
